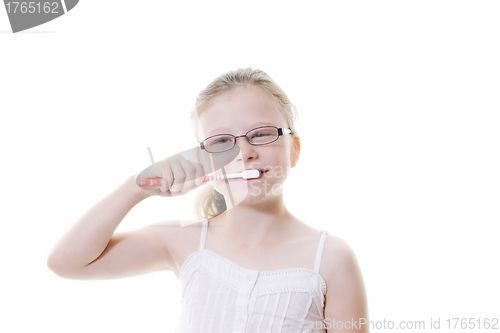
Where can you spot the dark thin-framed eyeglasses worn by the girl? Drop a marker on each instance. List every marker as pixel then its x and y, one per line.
pixel 256 137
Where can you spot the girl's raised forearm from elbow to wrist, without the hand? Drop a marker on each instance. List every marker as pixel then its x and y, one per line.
pixel 90 235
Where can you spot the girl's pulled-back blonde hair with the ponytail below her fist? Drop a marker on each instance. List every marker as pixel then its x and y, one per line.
pixel 209 202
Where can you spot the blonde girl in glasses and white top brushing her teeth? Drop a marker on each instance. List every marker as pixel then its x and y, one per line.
pixel 251 266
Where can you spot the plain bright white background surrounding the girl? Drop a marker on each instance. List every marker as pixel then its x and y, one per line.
pixel 399 115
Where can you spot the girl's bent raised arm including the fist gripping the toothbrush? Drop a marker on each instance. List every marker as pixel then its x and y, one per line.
pixel 91 249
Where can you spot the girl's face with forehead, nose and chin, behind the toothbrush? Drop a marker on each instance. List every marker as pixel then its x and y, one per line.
pixel 236 112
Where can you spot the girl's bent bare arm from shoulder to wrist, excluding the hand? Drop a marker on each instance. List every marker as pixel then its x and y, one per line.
pixel 91 249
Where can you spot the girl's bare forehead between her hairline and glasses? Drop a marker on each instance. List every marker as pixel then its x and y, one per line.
pixel 239 110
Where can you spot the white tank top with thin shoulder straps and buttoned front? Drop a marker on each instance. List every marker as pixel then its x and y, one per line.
pixel 219 295
